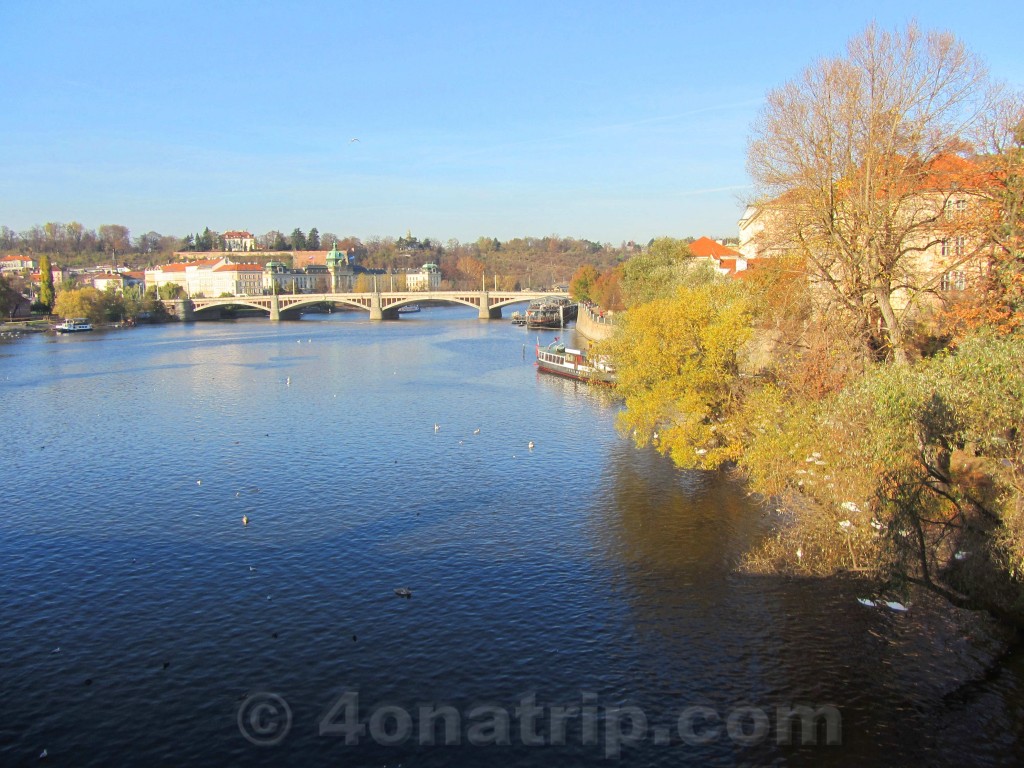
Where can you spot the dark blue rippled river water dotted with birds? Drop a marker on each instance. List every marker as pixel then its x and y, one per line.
pixel 576 604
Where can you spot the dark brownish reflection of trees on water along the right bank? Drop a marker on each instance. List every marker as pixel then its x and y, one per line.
pixel 699 633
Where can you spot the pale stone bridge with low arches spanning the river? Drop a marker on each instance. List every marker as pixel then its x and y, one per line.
pixel 380 306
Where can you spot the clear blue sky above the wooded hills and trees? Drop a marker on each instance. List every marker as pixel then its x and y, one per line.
pixel 611 121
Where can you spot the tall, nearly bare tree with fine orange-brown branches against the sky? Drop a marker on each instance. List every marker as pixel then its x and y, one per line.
pixel 848 161
